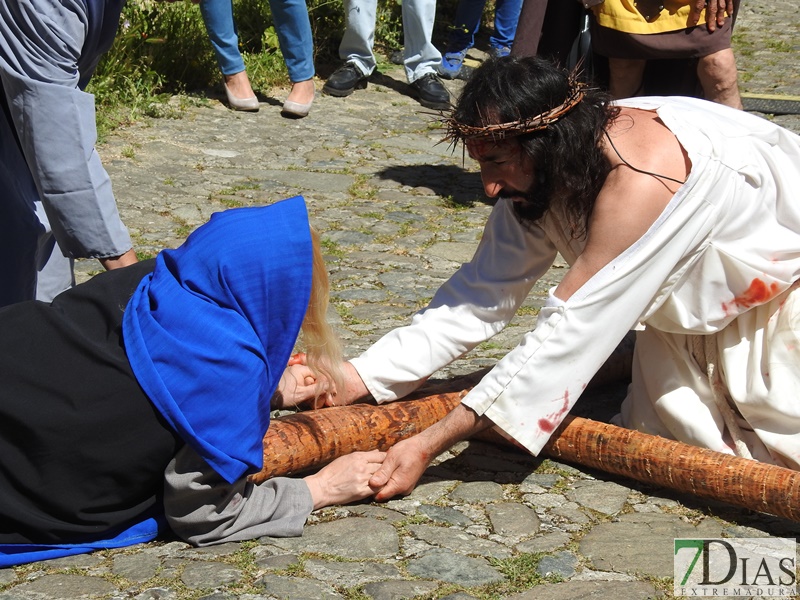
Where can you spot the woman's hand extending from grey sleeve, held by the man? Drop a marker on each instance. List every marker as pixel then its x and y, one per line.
pixel 345 480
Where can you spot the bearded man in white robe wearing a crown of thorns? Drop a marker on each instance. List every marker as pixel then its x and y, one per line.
pixel 679 218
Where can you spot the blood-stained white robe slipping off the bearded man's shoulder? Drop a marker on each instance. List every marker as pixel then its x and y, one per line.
pixel 719 261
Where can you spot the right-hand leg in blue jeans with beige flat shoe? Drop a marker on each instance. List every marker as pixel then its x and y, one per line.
pixel 297 46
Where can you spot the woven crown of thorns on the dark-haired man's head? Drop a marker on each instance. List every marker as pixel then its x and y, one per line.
pixel 456 131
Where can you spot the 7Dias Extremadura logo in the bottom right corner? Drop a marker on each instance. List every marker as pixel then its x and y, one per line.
pixel 752 567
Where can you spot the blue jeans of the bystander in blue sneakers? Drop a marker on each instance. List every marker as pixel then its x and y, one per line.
pixel 468 21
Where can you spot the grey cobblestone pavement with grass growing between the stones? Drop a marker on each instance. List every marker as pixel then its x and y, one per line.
pixel 398 214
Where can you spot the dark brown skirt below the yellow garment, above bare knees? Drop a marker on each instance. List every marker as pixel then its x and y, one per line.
pixel 693 42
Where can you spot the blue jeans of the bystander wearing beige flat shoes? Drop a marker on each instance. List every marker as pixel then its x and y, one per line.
pixel 291 23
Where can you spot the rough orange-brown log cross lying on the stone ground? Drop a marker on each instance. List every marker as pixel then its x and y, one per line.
pixel 306 440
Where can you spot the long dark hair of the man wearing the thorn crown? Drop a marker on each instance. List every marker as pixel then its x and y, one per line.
pixel 567 155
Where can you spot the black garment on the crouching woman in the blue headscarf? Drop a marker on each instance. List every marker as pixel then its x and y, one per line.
pixel 82 449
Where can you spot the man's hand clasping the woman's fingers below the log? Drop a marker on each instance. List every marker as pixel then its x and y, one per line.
pixel 405 463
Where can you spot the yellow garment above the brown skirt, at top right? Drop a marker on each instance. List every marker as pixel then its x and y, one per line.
pixel 622 15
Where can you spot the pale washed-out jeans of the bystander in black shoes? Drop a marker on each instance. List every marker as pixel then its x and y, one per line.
pixel 420 55
